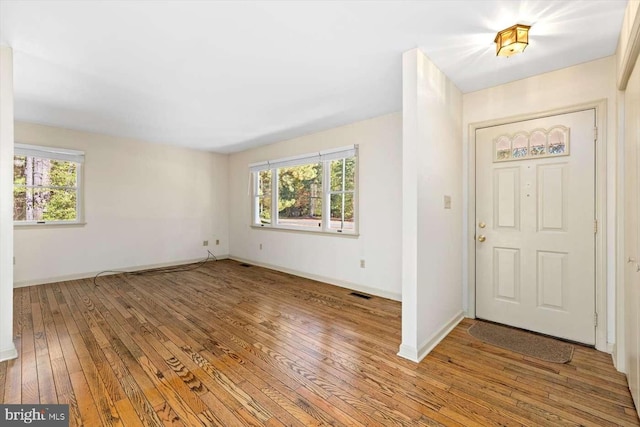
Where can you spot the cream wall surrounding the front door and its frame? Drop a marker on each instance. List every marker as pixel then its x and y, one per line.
pixel 580 84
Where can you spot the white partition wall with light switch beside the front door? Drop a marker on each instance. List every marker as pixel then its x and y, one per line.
pixel 431 235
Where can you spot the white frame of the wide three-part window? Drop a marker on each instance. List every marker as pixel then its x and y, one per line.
pixel 325 158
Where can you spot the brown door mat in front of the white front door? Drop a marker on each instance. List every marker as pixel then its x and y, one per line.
pixel 526 343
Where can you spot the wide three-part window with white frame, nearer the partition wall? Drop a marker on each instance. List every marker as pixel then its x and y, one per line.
pixel 314 192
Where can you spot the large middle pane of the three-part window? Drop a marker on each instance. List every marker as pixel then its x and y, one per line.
pixel 300 195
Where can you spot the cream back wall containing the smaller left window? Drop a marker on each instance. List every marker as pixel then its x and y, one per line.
pixel 145 204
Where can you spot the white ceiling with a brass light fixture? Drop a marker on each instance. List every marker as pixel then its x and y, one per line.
pixel 225 76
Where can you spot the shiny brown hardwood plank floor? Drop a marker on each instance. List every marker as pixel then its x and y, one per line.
pixel 229 345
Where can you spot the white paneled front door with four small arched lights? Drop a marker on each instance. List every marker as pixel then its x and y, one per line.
pixel 535 220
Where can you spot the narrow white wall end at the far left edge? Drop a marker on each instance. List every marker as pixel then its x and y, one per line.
pixel 7 348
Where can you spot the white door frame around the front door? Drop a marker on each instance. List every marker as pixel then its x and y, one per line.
pixel 600 107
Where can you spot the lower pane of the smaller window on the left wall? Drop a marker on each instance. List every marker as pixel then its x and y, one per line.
pixel 44 204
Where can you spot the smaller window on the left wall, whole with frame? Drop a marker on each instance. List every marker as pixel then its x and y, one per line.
pixel 46 185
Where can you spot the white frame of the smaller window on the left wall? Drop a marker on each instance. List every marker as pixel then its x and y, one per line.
pixel 61 154
